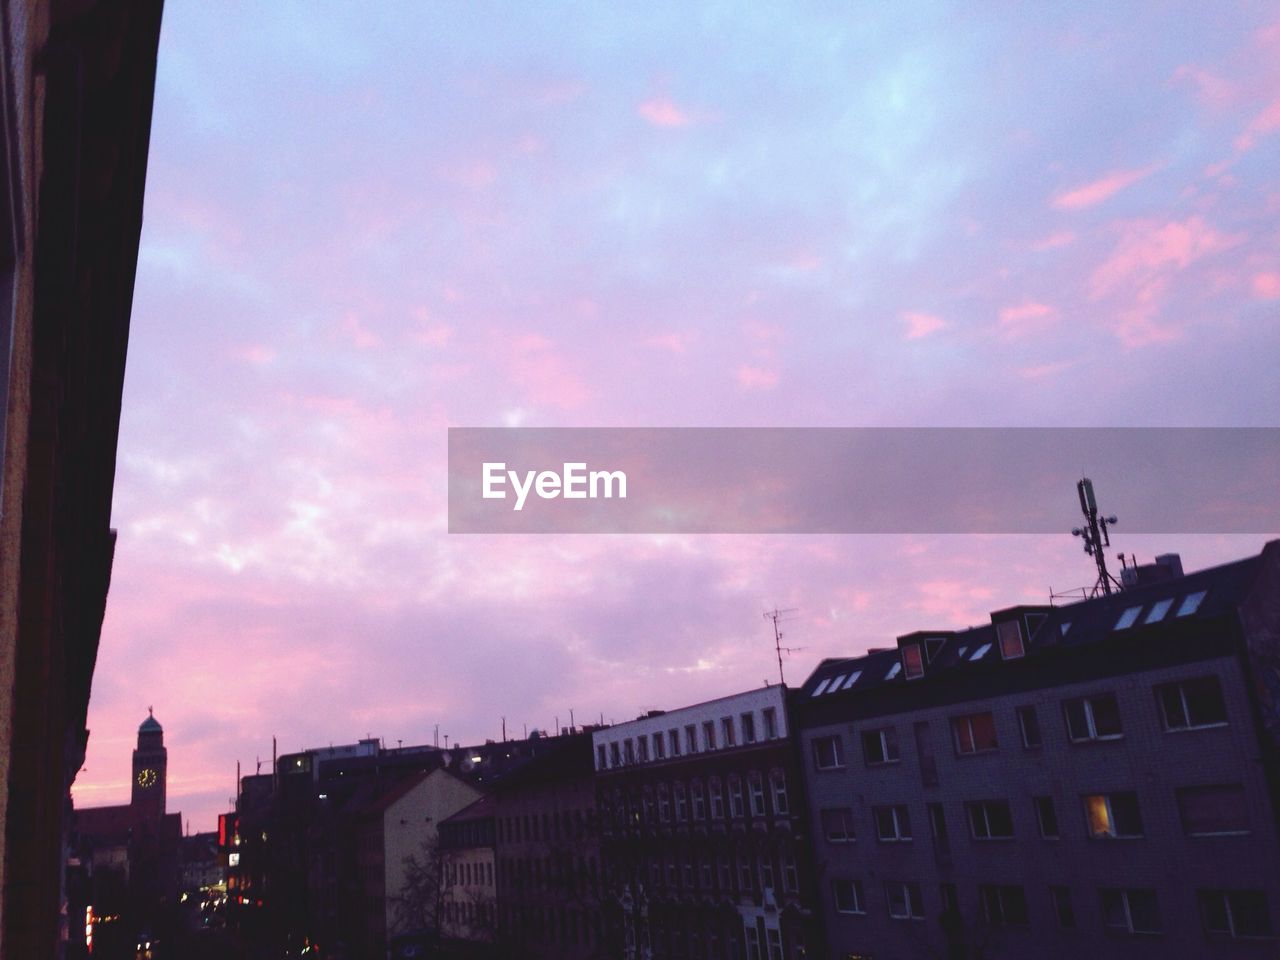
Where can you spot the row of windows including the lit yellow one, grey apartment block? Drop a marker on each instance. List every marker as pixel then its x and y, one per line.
pixel 1209 811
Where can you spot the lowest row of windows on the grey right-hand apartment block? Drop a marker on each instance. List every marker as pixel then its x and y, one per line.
pixel 1224 913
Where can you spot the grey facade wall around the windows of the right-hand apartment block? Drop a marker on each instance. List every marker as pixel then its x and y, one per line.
pixel 1146 760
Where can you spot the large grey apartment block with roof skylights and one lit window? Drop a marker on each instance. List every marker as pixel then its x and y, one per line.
pixel 1092 780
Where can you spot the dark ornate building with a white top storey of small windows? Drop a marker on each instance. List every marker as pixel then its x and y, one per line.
pixel 705 833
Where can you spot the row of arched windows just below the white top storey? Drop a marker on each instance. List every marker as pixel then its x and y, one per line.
pixel 682 802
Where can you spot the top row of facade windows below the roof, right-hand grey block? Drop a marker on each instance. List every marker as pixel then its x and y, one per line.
pixel 1186 705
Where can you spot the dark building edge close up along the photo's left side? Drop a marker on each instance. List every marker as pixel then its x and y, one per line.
pixel 79 84
